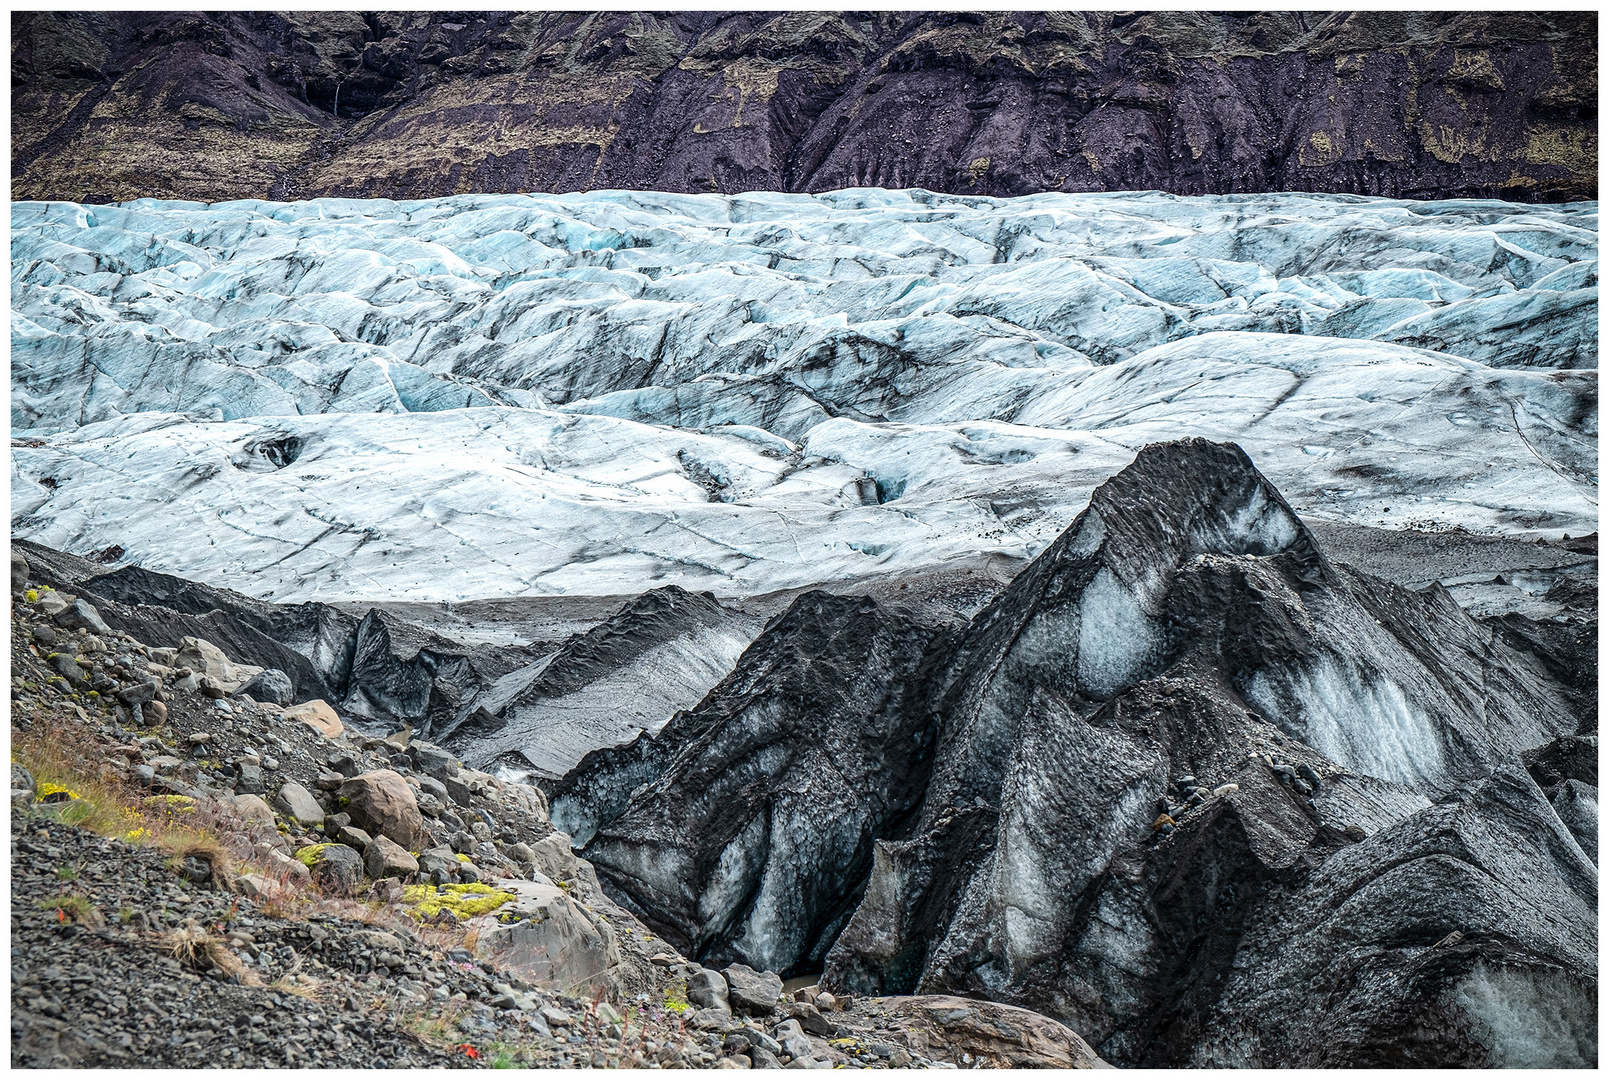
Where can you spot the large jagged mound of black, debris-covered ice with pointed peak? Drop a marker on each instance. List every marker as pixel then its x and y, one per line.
pixel 1180 778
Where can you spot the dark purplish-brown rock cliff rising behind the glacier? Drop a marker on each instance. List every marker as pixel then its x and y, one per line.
pixel 416 105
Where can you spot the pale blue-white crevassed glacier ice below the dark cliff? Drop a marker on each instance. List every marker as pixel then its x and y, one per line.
pixel 607 392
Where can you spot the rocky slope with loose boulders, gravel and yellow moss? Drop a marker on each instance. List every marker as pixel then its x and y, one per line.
pixel 208 881
